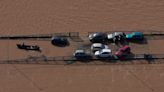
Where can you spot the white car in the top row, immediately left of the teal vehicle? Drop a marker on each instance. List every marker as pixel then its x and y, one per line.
pixel 116 35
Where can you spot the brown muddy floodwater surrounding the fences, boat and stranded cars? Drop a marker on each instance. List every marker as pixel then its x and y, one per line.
pixel 24 17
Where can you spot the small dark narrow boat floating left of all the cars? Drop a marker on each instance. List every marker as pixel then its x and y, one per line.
pixel 28 47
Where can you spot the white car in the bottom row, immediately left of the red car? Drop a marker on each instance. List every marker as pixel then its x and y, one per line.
pixel 104 53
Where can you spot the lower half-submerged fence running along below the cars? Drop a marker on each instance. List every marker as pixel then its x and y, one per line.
pixel 65 60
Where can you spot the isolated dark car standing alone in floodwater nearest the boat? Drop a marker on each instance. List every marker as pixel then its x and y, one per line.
pixel 60 41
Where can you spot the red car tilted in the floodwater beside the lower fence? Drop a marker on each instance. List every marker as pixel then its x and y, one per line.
pixel 122 52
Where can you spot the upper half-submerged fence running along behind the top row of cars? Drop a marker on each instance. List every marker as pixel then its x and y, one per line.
pixel 150 35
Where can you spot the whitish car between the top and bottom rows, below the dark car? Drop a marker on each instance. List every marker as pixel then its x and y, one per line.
pixel 98 46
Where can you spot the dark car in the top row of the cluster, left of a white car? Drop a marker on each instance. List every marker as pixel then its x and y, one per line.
pixel 98 37
